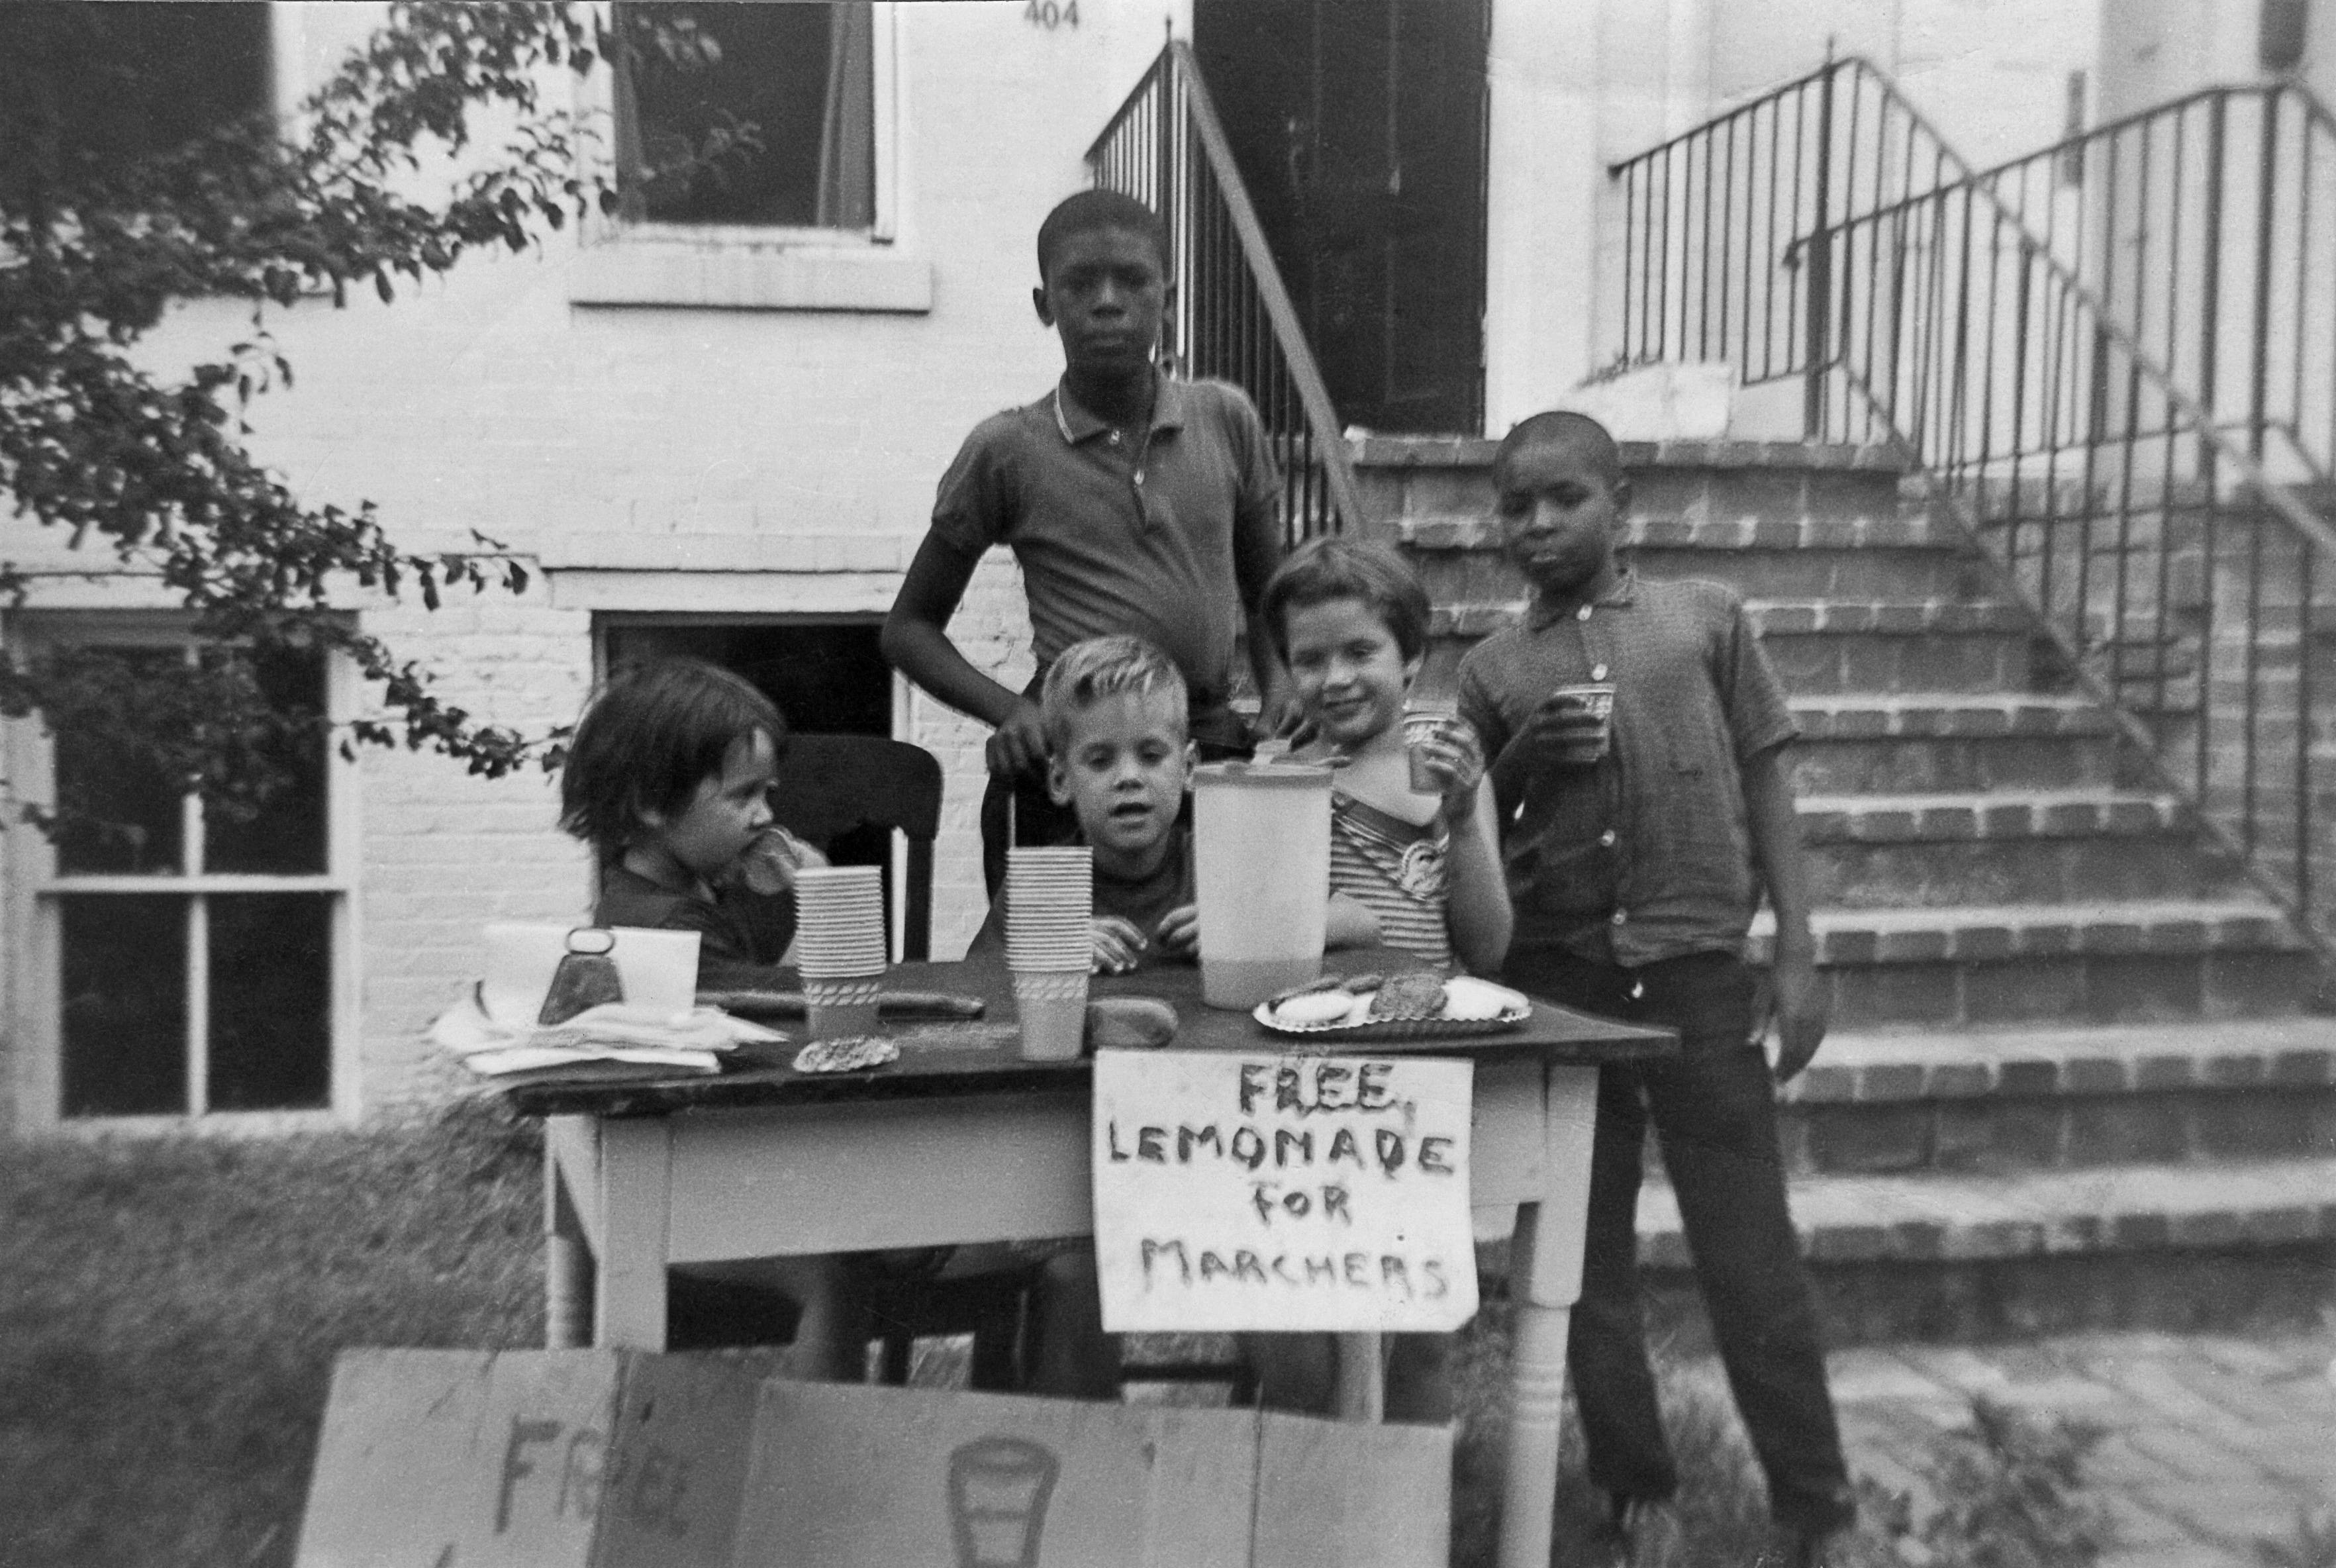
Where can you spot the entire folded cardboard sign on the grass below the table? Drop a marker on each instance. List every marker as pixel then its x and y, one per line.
pixel 606 1459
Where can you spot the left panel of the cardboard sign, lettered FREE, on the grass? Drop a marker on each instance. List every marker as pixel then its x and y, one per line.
pixel 529 1459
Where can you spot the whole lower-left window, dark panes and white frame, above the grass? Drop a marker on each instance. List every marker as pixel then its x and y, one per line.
pixel 188 957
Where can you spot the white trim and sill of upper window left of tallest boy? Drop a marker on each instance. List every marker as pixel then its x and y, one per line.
pixel 751 268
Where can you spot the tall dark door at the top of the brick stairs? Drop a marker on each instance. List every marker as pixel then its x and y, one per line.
pixel 1358 127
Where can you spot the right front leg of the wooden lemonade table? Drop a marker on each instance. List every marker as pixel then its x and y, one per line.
pixel 1545 1282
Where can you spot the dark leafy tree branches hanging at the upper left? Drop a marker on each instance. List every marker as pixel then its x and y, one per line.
pixel 92 251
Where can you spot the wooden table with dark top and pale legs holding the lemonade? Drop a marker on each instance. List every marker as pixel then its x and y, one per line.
pixel 973 1144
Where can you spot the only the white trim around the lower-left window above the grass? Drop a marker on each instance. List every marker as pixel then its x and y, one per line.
pixel 32 889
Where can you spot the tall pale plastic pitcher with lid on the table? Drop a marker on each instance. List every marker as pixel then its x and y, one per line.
pixel 1263 877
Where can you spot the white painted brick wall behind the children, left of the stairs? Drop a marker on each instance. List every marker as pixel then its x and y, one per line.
pixel 781 459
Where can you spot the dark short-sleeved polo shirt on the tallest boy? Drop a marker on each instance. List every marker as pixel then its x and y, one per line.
pixel 1162 539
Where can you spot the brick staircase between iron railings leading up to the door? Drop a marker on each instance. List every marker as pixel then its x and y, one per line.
pixel 2073 1076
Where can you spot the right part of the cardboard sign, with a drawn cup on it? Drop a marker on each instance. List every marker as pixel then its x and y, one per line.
pixel 903 1478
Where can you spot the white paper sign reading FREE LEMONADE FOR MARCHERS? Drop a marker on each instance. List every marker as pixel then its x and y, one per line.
pixel 1284 1193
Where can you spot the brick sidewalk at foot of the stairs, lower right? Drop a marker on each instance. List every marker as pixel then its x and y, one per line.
pixel 2211 1441
